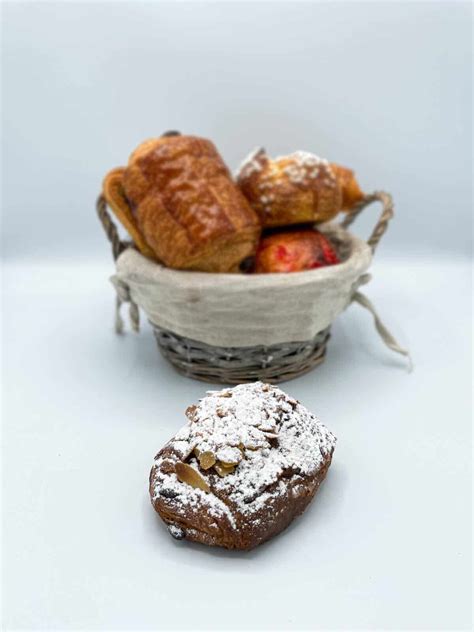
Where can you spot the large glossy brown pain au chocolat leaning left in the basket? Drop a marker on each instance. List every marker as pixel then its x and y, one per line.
pixel 186 206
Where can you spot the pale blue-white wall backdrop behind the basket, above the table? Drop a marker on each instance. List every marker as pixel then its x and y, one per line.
pixel 381 87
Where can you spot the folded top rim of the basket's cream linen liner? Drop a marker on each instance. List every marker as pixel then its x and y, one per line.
pixel 359 259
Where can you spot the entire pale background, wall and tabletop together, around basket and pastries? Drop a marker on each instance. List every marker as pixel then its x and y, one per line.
pixel 381 87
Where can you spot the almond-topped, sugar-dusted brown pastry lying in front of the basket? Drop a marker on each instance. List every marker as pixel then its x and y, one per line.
pixel 249 460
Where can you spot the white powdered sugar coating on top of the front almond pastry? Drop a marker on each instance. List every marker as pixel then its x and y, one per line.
pixel 270 437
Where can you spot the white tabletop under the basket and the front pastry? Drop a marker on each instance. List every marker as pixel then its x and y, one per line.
pixel 386 544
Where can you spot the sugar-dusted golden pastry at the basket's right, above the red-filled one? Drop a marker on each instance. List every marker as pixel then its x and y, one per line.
pixel 297 188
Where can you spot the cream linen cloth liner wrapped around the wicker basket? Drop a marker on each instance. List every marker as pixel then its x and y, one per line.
pixel 240 310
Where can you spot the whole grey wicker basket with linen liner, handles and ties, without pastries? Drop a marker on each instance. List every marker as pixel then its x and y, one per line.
pixel 236 328
